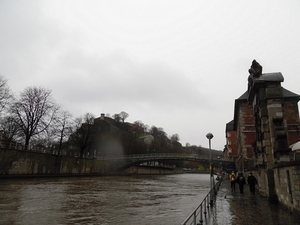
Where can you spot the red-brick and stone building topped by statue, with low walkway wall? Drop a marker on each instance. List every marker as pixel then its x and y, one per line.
pixel 266 121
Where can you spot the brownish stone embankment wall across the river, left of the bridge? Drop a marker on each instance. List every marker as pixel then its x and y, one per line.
pixel 18 163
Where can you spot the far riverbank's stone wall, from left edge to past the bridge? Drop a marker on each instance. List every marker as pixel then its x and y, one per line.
pixel 21 164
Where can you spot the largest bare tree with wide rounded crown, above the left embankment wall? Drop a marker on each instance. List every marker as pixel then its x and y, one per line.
pixel 34 112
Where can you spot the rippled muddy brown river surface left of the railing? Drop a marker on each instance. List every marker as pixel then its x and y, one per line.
pixel 126 200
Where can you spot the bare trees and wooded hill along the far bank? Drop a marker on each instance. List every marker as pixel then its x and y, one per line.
pixel 35 121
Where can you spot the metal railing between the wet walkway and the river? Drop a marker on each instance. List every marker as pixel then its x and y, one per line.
pixel 201 211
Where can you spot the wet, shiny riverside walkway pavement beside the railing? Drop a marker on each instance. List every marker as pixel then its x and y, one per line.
pixel 235 208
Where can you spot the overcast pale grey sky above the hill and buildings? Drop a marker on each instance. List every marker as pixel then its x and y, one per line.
pixel 173 64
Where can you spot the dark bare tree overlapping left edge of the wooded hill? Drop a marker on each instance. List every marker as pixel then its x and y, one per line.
pixel 83 132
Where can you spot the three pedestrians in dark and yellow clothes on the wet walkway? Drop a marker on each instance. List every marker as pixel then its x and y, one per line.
pixel 241 181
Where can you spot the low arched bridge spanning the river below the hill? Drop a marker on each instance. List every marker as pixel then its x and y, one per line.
pixel 119 163
